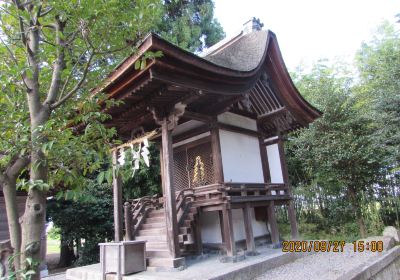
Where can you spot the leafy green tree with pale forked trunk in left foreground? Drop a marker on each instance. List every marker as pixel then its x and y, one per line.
pixel 53 52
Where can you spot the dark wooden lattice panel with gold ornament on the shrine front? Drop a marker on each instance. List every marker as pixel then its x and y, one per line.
pixel 193 166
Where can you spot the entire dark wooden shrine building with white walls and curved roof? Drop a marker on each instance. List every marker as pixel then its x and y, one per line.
pixel 219 120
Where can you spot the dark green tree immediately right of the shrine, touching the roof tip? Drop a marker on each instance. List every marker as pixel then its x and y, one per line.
pixel 338 151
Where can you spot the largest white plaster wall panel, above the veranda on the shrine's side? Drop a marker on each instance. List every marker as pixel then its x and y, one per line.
pixel 241 160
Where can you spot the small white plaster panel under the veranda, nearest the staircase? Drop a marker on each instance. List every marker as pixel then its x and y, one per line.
pixel 210 227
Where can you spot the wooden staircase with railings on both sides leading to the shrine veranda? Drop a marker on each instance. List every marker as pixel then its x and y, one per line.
pixel 149 225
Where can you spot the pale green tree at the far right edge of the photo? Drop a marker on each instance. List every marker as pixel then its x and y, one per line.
pixel 378 63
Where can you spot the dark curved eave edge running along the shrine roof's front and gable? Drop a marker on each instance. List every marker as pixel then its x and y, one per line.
pixel 303 111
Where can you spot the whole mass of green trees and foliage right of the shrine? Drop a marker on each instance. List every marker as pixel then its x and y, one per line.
pixel 345 165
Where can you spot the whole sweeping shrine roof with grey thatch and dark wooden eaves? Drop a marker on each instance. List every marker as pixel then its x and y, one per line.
pixel 245 73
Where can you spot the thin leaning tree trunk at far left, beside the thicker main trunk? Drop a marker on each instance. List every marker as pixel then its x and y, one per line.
pixel 14 227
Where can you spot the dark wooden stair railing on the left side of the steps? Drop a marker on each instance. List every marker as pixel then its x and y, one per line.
pixel 135 211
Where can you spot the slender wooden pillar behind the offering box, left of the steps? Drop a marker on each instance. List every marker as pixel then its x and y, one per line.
pixel 117 199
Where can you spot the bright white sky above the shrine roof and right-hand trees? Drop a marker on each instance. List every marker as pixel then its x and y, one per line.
pixel 308 30
